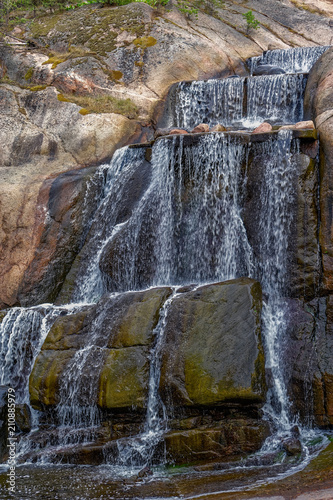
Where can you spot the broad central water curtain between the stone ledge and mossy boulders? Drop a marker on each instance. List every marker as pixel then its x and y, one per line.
pixel 187 227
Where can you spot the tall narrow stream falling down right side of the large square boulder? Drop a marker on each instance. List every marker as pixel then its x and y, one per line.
pixel 277 195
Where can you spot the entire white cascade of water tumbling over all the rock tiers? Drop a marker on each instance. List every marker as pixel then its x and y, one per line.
pixel 183 222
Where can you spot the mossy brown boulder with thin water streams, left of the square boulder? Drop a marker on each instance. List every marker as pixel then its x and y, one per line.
pixel 121 329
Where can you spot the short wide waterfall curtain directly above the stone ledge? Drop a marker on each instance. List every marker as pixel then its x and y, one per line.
pixel 240 102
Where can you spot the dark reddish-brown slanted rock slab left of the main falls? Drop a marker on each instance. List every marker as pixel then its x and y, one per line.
pixel 71 199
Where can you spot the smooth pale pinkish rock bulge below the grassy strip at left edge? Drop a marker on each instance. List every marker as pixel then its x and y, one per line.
pixel 36 147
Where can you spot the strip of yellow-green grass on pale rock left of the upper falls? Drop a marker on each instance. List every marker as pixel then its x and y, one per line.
pixel 102 104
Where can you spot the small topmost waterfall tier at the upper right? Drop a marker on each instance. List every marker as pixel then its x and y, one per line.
pixel 297 60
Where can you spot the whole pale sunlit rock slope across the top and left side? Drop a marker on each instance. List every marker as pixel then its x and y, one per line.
pixel 130 52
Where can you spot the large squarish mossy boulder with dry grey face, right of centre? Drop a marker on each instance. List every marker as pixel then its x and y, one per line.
pixel 213 352
